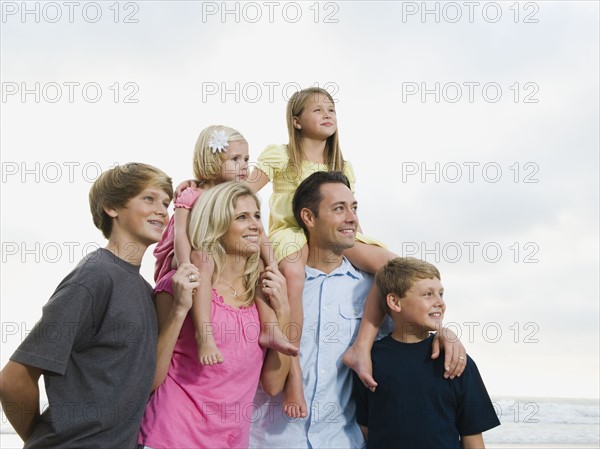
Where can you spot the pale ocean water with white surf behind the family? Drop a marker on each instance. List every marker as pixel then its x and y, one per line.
pixel 526 422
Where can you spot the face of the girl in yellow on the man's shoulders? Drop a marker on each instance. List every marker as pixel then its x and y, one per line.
pixel 318 118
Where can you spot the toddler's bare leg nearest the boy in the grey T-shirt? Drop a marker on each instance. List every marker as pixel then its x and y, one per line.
pixel 208 352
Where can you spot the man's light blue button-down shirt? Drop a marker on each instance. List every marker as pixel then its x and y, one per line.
pixel 333 305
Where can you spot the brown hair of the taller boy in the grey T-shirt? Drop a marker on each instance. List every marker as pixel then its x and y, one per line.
pixel 115 187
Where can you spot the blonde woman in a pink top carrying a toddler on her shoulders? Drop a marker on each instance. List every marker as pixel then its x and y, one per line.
pixel 207 406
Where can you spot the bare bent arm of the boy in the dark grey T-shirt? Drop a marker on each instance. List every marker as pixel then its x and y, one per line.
pixel 20 396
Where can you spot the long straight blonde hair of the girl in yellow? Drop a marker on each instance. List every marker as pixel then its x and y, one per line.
pixel 333 153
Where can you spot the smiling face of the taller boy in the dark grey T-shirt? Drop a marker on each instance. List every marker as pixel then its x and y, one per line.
pixel 142 220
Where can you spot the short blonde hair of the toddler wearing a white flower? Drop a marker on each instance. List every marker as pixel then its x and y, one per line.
pixel 206 163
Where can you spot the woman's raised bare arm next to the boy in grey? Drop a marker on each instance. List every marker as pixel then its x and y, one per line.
pixel 170 315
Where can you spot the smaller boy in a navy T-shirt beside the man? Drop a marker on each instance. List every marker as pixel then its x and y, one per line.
pixel 414 406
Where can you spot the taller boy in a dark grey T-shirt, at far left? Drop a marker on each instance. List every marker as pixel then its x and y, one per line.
pixel 96 342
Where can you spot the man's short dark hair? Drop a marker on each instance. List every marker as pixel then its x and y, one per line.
pixel 308 193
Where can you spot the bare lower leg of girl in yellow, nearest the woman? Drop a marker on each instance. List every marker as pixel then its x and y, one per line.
pixel 292 268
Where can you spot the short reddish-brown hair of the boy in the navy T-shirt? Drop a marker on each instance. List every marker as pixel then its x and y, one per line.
pixel 399 275
